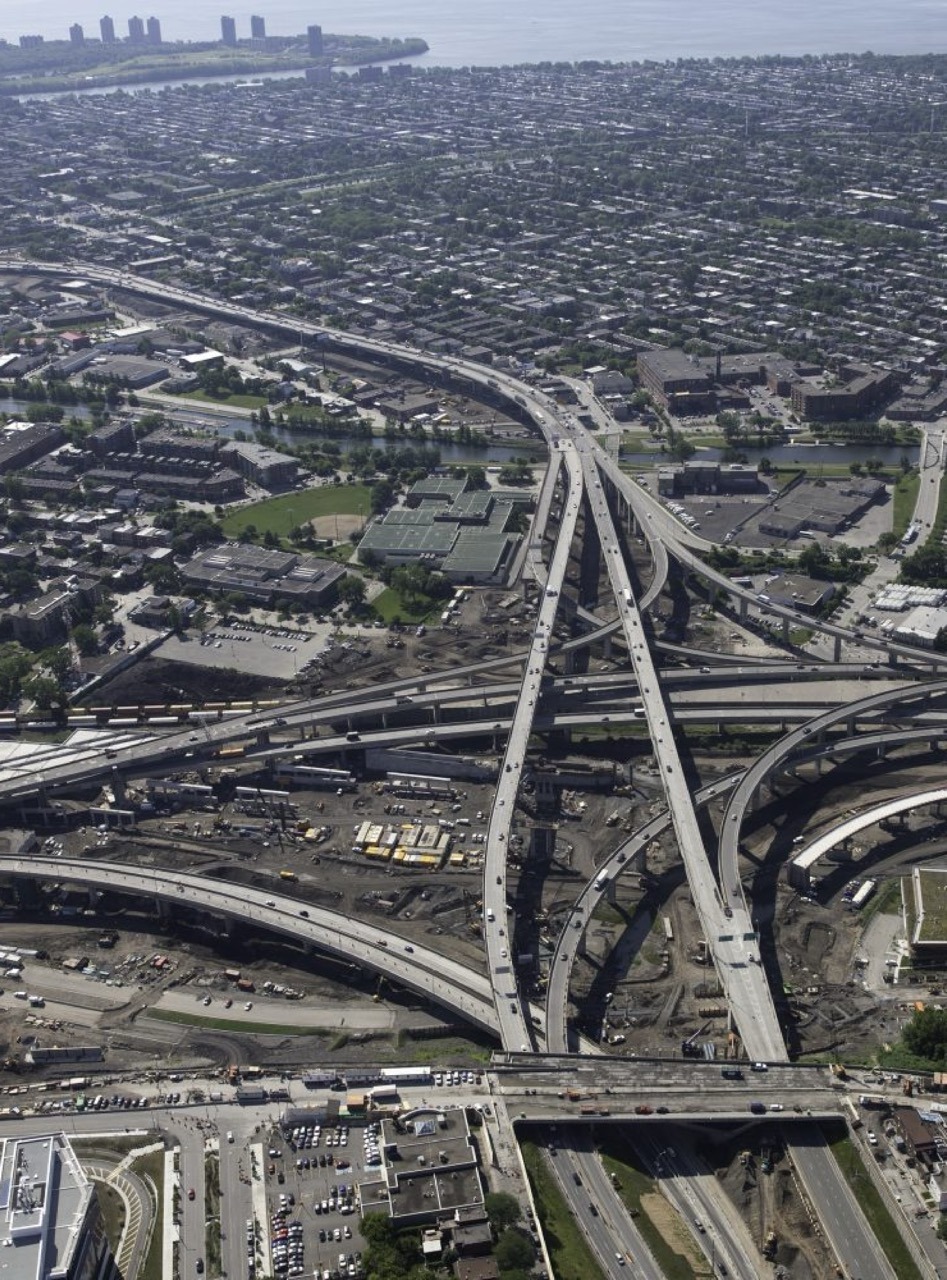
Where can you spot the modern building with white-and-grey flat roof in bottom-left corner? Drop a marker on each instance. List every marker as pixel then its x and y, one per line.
pixel 53 1223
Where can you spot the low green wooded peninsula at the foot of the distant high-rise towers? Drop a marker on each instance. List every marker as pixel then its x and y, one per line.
pixel 200 62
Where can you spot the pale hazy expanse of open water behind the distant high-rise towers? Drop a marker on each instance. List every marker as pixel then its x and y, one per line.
pixel 501 33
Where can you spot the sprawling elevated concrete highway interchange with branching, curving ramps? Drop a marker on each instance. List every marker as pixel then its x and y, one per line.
pixel 597 488
